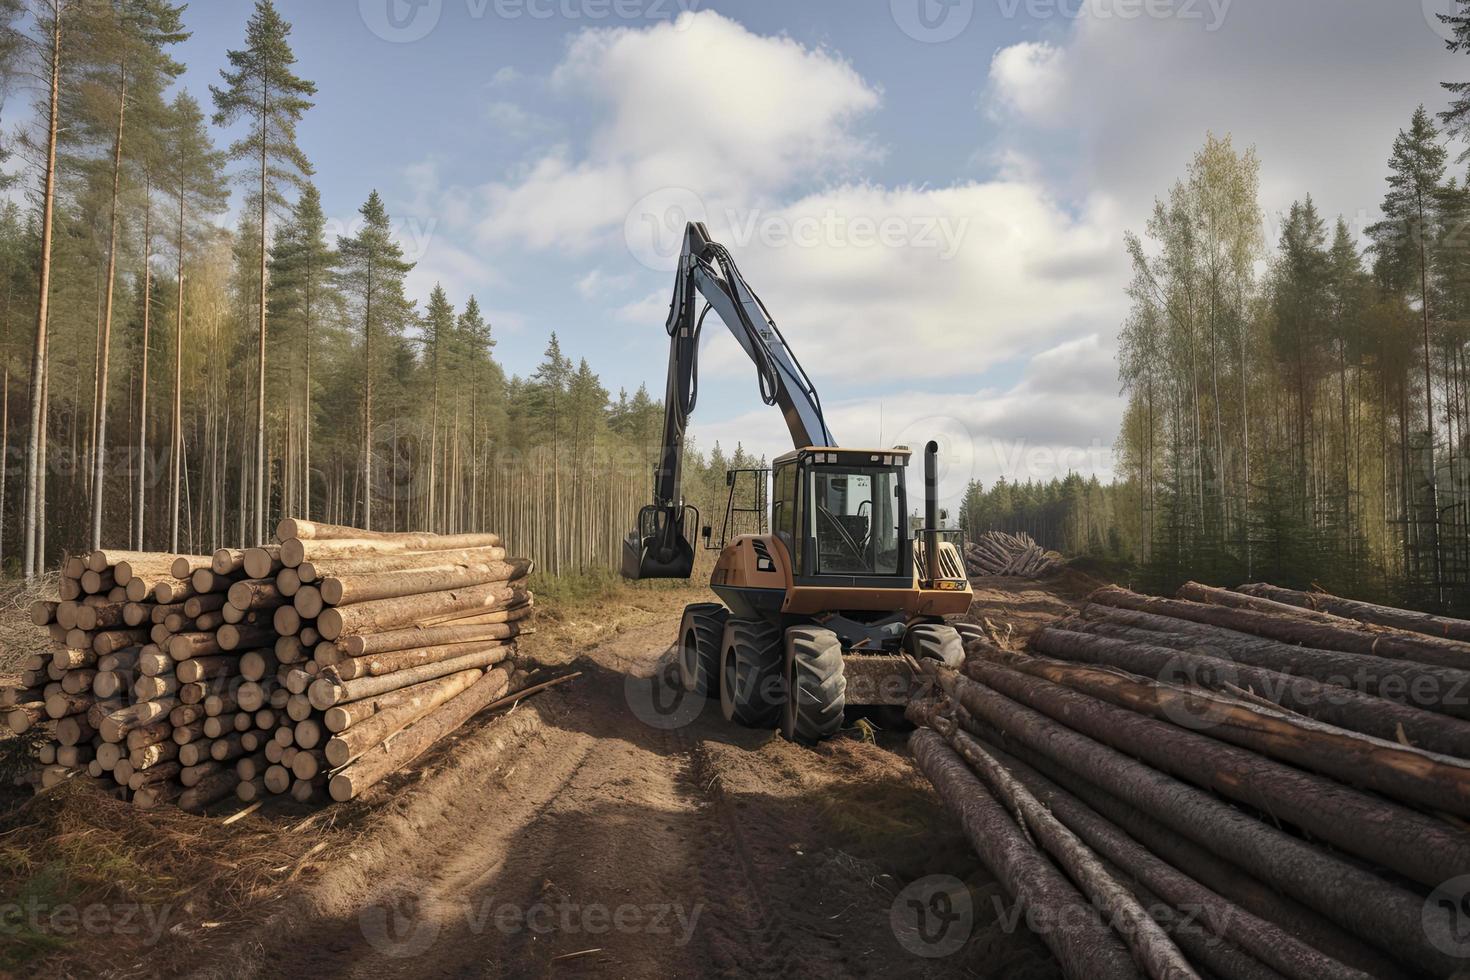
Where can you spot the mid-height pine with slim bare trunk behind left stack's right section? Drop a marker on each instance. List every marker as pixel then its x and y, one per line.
pixel 373 274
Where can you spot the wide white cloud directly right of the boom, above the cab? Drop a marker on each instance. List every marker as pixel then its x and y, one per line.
pixel 987 271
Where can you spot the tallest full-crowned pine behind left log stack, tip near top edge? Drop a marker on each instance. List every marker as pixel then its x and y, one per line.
pixel 262 89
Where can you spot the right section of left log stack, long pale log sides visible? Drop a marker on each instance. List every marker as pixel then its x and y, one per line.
pixel 387 644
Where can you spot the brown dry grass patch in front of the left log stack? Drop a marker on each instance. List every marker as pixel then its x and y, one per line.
pixel 90 872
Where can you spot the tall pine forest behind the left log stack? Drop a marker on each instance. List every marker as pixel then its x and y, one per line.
pixel 195 383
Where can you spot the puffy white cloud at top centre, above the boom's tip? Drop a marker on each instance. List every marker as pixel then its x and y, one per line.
pixel 736 118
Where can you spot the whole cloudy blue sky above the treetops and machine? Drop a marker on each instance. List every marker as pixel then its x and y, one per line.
pixel 931 196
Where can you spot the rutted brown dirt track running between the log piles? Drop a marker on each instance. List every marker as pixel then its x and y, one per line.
pixel 612 829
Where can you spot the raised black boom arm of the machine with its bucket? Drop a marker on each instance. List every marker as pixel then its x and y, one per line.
pixel 658 547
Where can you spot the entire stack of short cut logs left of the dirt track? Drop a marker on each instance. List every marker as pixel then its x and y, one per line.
pixel 312 668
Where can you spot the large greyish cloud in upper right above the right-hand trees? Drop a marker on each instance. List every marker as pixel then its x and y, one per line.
pixel 1125 104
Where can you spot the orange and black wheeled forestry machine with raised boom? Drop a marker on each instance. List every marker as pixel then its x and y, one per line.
pixel 820 609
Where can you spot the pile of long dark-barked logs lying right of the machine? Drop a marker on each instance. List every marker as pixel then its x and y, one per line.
pixel 1233 784
